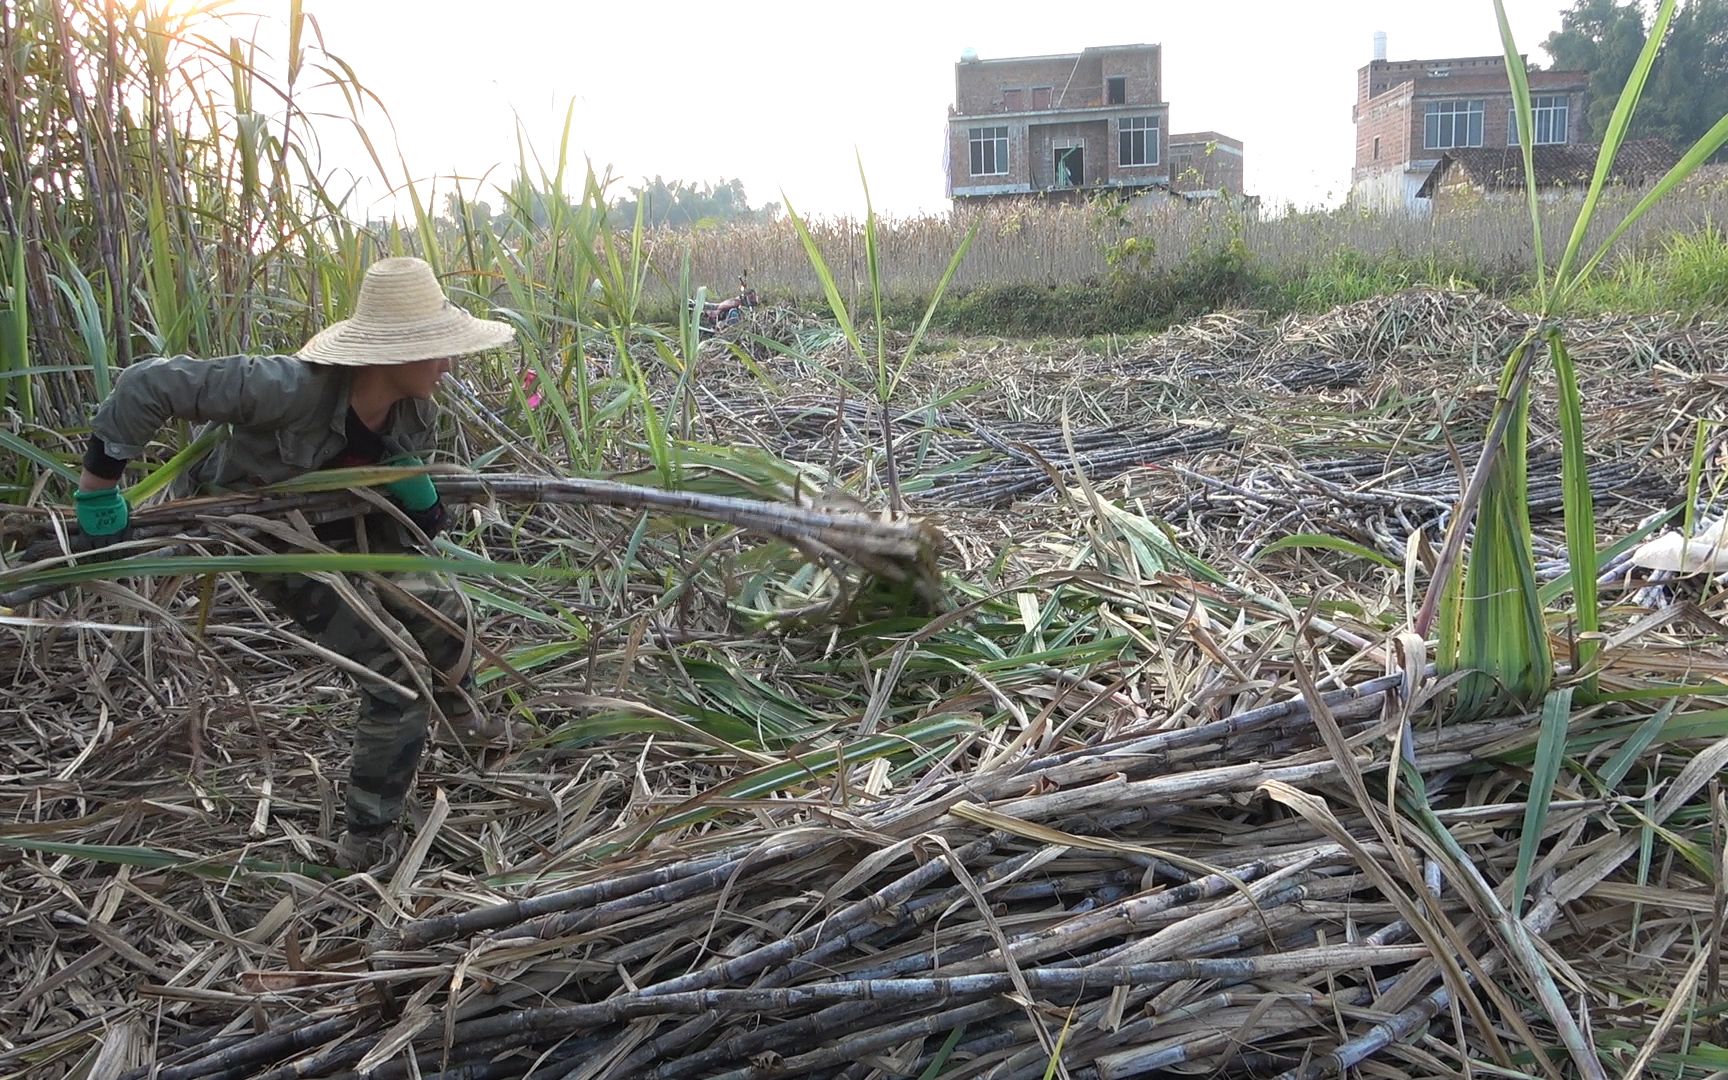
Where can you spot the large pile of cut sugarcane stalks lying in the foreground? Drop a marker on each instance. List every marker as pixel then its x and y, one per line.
pixel 1185 899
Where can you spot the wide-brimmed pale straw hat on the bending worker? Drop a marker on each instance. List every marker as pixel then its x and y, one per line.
pixel 403 317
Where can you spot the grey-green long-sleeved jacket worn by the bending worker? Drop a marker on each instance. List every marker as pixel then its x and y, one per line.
pixel 288 417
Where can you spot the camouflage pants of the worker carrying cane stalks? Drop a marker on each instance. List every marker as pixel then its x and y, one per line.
pixel 391 728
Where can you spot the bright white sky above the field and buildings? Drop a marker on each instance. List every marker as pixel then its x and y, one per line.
pixel 780 94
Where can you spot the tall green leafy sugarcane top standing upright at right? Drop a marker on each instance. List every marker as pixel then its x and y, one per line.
pixel 1494 623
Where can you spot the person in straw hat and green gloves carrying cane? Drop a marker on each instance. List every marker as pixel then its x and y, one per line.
pixel 359 393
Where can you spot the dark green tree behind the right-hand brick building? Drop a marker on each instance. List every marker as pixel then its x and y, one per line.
pixel 1689 86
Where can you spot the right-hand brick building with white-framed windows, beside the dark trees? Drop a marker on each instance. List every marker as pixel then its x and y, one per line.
pixel 1409 113
